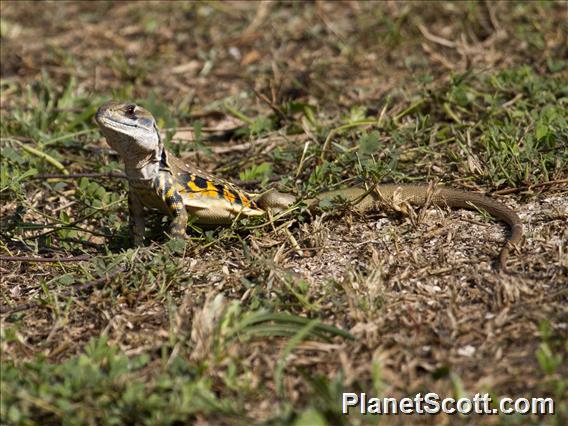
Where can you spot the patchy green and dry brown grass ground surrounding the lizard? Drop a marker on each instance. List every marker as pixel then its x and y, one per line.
pixel 270 322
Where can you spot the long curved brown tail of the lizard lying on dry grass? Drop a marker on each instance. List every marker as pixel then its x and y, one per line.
pixel 441 196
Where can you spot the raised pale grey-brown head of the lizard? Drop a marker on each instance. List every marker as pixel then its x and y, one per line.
pixel 129 129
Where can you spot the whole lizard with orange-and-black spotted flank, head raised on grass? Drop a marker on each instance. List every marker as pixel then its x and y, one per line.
pixel 160 181
